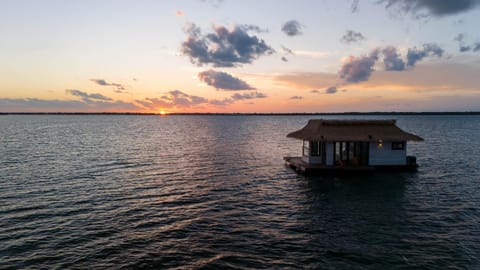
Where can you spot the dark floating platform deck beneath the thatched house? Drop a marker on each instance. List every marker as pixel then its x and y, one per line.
pixel 300 166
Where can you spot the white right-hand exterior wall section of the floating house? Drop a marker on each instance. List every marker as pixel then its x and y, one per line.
pixel 384 155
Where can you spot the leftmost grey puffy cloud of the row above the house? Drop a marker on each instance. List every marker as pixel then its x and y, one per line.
pixel 358 69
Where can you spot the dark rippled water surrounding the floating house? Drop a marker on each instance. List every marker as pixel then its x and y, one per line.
pixel 212 192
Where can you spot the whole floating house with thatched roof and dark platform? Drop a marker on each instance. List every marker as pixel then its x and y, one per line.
pixel 352 145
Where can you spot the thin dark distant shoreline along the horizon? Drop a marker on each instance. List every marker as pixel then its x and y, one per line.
pixel 246 114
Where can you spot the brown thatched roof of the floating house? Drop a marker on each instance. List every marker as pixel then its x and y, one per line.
pixel 352 130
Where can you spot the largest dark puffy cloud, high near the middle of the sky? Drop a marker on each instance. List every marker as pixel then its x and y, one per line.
pixel 223 47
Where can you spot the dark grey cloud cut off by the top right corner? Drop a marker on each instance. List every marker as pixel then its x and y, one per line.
pixel 432 7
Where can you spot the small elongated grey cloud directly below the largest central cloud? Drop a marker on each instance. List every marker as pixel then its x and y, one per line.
pixel 224 81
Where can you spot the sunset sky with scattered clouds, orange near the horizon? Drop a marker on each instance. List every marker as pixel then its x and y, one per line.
pixel 239 56
